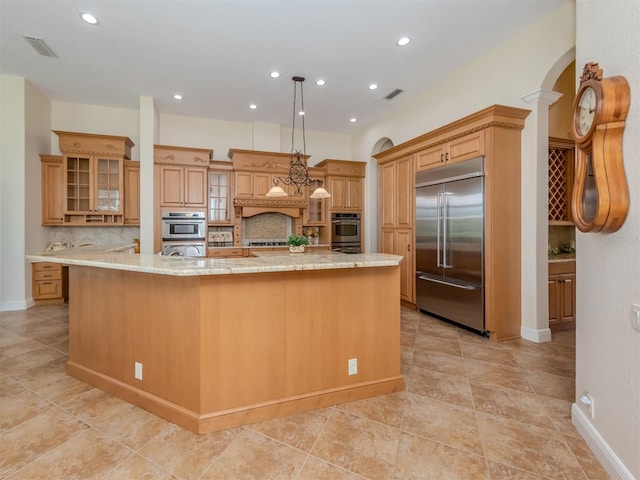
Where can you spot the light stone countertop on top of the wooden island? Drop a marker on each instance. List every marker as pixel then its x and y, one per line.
pixel 262 262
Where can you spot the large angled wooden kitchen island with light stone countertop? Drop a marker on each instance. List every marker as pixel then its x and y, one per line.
pixel 214 343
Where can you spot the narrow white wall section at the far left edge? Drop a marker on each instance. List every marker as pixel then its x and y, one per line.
pixel 13 293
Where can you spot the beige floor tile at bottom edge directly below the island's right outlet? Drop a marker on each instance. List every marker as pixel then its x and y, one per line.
pixel 359 445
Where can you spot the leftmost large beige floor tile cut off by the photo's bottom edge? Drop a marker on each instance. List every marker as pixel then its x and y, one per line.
pixel 88 455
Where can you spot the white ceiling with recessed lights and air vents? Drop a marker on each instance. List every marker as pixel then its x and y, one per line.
pixel 218 53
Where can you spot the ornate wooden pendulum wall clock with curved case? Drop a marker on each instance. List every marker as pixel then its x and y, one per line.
pixel 600 199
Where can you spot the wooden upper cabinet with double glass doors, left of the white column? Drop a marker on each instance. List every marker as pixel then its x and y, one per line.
pixel 93 178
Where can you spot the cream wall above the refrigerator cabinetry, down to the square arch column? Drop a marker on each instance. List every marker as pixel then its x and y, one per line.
pixel 502 75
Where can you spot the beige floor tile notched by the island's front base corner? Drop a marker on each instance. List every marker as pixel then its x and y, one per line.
pixel 186 454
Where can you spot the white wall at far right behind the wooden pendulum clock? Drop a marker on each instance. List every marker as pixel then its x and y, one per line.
pixel 608 266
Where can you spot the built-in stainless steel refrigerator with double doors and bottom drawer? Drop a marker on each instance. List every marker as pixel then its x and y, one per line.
pixel 450 243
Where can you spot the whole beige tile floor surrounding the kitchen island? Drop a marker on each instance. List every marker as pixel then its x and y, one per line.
pixel 471 410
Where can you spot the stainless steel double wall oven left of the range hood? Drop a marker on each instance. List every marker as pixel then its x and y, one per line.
pixel 184 234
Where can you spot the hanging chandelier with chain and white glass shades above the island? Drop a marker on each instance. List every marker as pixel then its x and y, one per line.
pixel 298 172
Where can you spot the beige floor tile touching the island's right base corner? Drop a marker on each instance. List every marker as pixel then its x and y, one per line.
pixel 439 386
